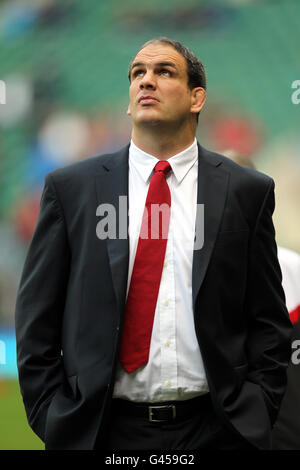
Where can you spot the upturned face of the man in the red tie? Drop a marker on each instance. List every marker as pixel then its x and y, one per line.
pixel 159 91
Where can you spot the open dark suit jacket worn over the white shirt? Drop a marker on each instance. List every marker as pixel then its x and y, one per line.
pixel 71 299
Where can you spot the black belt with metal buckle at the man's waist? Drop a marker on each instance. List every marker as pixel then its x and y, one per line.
pixel 162 412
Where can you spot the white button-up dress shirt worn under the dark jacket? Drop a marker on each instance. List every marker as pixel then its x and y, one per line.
pixel 175 369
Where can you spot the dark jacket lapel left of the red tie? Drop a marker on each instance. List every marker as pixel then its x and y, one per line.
pixel 111 183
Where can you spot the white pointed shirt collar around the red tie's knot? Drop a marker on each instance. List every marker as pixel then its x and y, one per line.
pixel 180 163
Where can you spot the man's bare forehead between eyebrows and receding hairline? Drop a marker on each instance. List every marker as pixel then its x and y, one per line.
pixel 155 53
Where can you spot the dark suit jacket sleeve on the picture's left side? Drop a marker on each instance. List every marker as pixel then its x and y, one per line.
pixel 39 309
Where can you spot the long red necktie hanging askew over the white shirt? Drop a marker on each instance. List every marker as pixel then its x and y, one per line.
pixel 146 273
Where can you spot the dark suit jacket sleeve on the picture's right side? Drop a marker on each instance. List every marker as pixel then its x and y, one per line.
pixel 268 342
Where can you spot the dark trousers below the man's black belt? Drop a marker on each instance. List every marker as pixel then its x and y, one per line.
pixel 201 431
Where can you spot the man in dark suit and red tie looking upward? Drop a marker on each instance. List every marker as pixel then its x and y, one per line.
pixel 210 371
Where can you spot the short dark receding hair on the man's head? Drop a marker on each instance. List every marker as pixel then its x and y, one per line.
pixel 195 68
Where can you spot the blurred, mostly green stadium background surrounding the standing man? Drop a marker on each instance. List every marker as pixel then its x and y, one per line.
pixel 64 65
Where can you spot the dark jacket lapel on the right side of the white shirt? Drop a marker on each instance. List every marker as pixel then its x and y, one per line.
pixel 212 190
